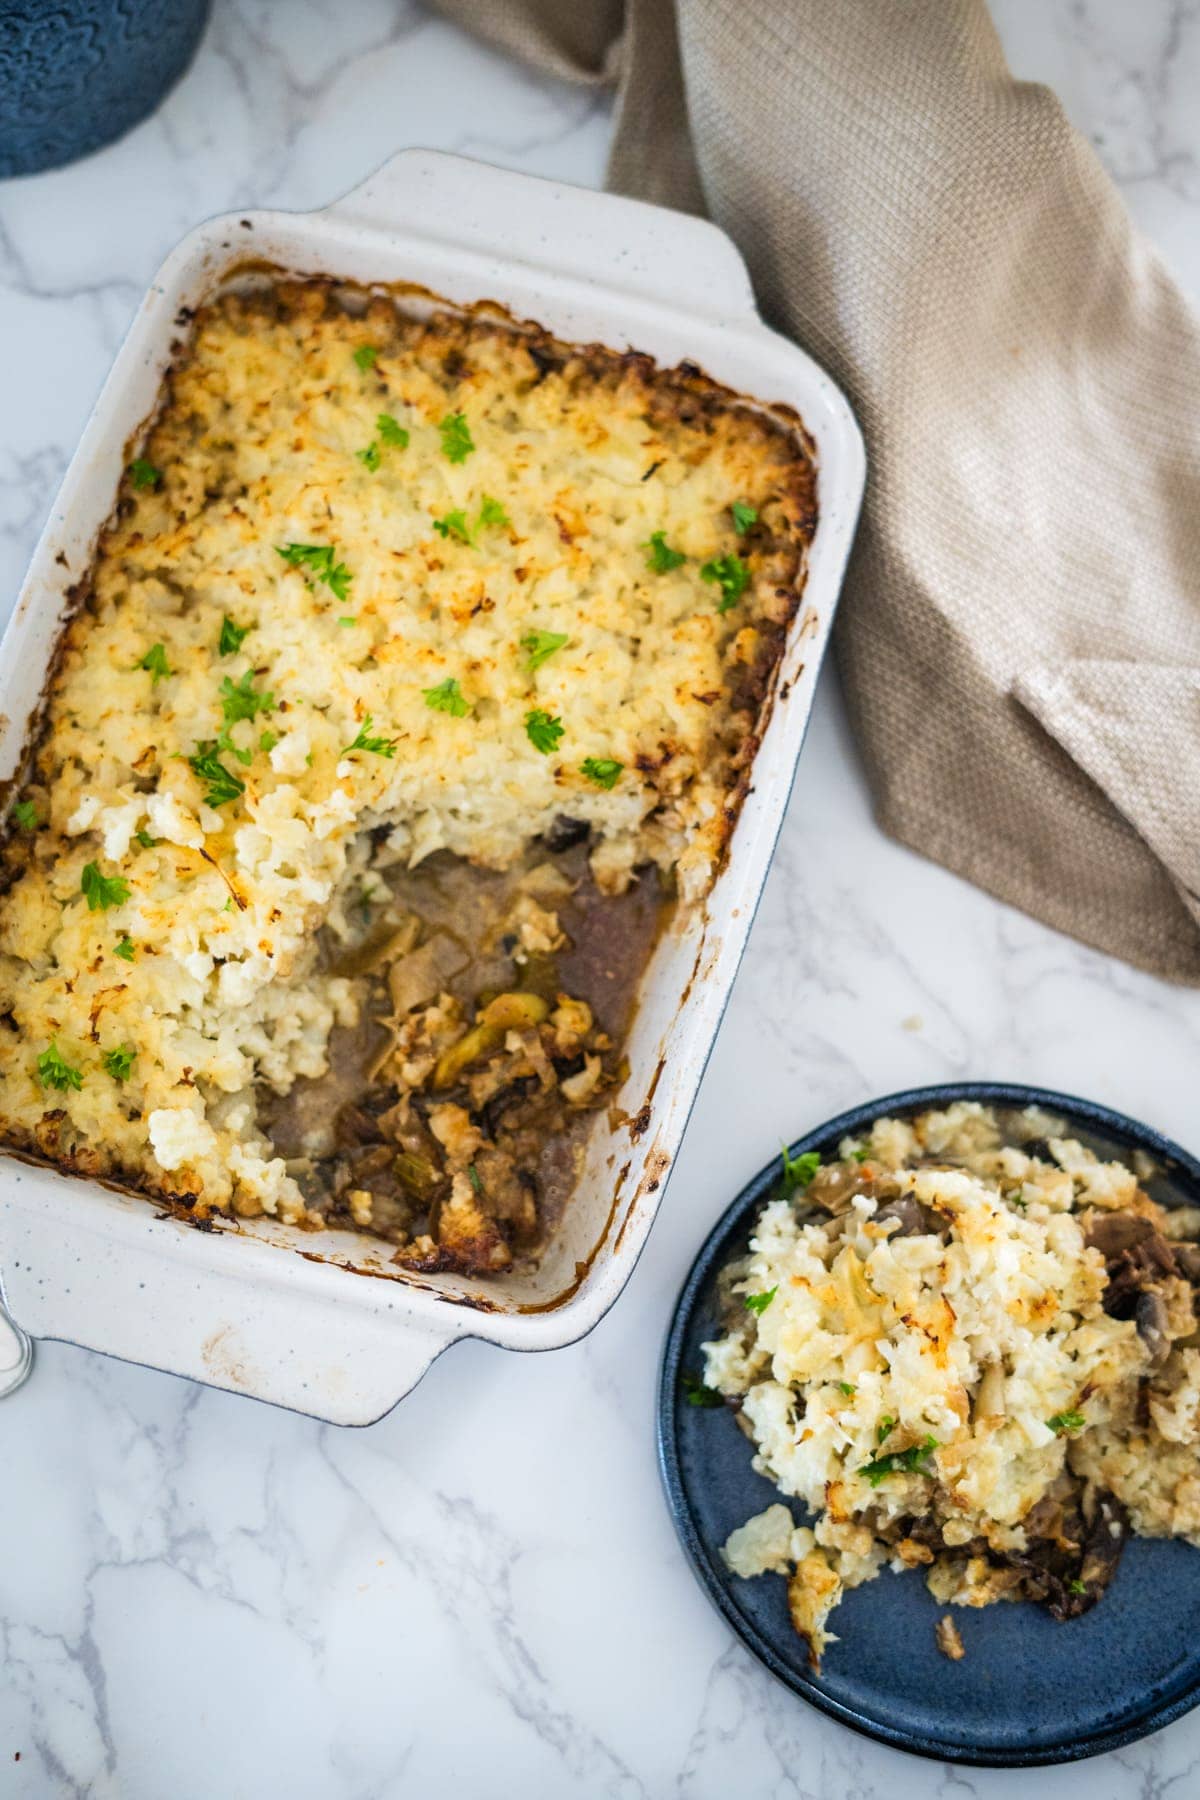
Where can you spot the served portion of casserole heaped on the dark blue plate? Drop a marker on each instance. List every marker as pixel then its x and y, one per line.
pixel 969 1347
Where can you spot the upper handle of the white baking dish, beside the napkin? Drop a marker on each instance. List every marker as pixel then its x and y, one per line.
pixel 553 226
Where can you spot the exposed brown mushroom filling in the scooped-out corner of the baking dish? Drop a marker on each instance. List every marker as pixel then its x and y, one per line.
pixel 494 1011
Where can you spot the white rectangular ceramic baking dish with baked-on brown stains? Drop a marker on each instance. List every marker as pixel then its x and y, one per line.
pixel 327 1324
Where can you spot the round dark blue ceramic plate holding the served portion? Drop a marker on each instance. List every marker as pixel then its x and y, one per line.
pixel 1030 1689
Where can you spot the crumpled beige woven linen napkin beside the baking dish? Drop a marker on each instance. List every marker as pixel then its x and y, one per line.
pixel 1021 627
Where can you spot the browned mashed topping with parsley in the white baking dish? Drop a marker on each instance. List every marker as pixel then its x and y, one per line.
pixel 438 582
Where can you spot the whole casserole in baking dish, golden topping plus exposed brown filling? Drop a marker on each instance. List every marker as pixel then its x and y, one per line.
pixel 418 676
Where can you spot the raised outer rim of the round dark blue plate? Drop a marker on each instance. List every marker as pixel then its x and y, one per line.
pixel 724 1241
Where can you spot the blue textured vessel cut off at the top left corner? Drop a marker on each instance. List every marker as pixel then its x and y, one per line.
pixel 75 75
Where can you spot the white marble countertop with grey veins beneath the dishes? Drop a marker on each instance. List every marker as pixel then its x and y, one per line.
pixel 483 1594
